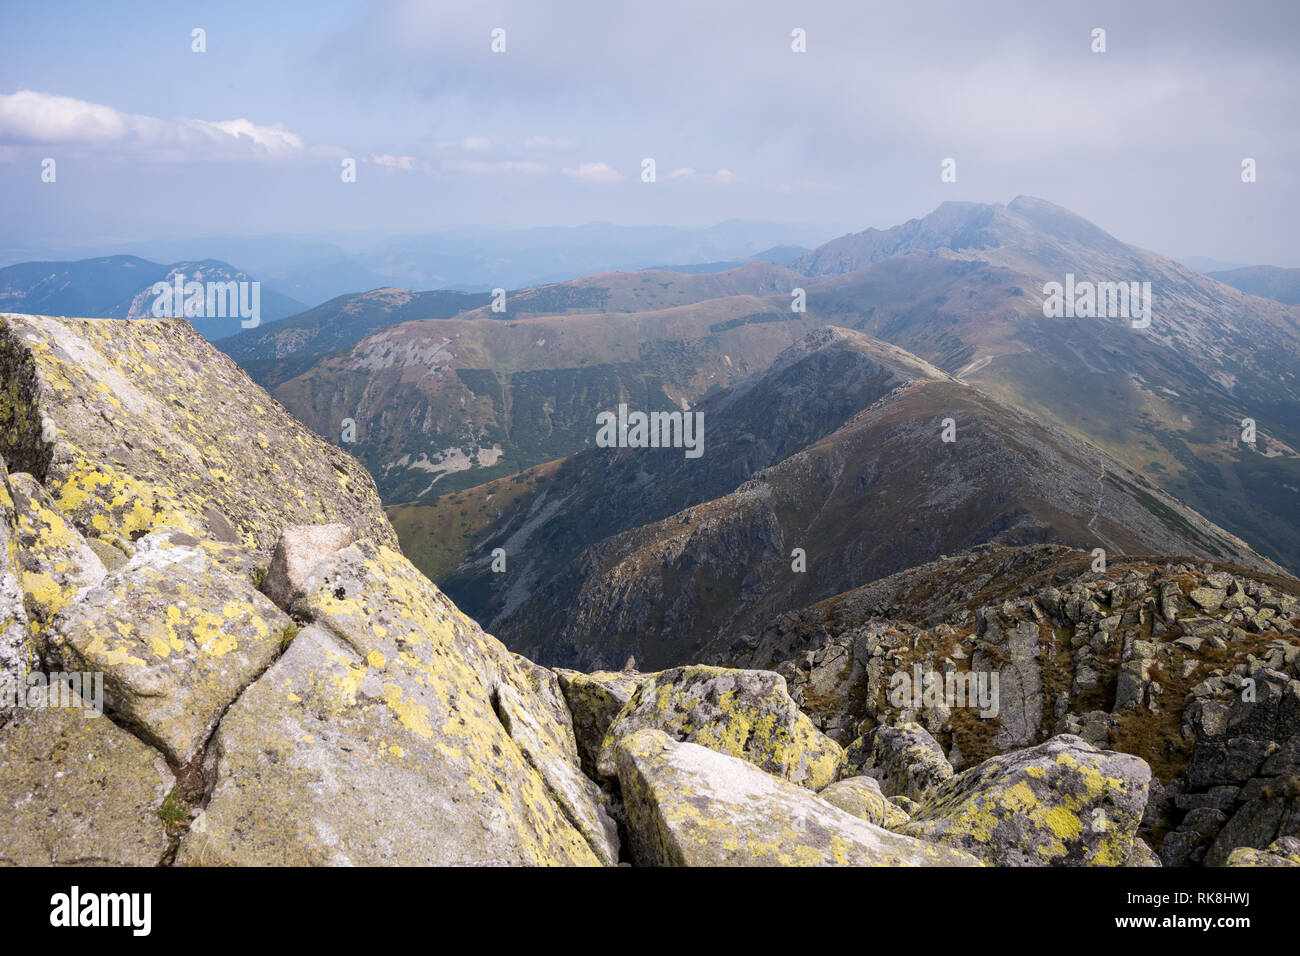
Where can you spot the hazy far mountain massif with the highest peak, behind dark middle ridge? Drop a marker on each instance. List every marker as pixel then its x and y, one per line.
pixel 450 401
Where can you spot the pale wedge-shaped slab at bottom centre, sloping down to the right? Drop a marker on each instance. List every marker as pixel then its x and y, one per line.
pixel 690 806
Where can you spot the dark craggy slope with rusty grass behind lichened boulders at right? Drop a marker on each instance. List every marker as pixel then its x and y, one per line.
pixel 1125 660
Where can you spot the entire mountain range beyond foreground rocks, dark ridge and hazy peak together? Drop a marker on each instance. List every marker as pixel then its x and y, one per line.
pixel 476 416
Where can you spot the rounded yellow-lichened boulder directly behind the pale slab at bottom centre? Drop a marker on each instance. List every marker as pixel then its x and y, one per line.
pixel 742 713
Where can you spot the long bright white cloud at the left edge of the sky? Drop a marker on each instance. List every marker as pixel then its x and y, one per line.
pixel 32 118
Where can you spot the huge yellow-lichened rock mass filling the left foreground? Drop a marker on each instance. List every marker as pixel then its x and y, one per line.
pixel 375 725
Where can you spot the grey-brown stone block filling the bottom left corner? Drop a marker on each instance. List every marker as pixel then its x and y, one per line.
pixel 79 790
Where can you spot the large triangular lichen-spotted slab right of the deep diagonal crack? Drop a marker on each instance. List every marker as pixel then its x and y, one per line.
pixel 376 739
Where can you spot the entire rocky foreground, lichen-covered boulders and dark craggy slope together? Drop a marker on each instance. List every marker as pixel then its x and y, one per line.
pixel 215 654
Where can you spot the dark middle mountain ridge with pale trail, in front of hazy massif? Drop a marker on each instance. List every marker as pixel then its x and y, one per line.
pixel 837 451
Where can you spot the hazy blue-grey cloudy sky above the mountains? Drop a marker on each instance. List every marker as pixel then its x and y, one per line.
pixel 155 141
